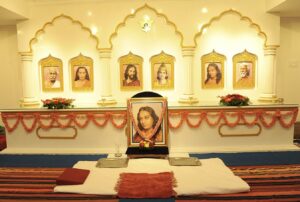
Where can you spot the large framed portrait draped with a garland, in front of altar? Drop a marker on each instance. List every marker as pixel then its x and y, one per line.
pixel 147 120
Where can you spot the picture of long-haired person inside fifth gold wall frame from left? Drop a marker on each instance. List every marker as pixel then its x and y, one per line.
pixel 213 75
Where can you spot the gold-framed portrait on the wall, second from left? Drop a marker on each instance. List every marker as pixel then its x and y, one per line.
pixel 82 73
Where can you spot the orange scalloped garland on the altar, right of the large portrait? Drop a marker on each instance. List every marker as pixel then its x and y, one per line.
pixel 266 117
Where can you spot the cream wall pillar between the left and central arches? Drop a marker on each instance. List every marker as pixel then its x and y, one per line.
pixel 106 95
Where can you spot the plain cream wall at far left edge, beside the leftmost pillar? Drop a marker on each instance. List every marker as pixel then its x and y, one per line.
pixel 10 77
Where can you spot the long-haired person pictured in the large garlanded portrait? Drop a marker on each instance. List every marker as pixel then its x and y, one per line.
pixel 147 120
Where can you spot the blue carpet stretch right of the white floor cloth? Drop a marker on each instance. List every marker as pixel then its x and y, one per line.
pixel 254 158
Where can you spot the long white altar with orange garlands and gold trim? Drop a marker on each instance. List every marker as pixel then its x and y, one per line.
pixel 192 129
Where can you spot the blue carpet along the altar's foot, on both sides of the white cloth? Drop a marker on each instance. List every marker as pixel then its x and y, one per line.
pixel 230 159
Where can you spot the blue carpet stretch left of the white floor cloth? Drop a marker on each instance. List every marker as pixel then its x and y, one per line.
pixel 49 161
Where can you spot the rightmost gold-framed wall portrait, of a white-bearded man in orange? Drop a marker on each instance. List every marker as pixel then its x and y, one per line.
pixel 244 68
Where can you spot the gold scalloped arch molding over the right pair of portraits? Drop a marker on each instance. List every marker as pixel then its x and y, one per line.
pixel 242 18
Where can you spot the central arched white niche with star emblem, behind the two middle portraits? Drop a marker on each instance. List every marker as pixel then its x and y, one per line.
pixel 130 37
